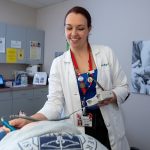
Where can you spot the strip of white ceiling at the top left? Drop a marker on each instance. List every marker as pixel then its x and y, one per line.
pixel 37 3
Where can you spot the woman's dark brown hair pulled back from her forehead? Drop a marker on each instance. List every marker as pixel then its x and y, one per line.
pixel 80 10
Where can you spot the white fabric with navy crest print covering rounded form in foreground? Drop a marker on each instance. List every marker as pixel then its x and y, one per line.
pixel 49 135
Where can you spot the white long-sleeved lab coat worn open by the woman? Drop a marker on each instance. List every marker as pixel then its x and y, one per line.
pixel 63 92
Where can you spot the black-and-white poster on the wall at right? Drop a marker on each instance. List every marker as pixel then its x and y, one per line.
pixel 140 72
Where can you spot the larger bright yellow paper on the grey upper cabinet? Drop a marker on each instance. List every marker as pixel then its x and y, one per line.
pixel 11 55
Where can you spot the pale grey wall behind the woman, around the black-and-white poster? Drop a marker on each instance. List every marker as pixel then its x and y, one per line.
pixel 115 23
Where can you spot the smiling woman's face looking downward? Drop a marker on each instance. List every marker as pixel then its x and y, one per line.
pixel 76 30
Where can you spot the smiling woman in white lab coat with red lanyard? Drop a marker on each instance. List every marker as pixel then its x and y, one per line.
pixel 73 80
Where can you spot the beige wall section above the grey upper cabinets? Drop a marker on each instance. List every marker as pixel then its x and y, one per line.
pixel 17 14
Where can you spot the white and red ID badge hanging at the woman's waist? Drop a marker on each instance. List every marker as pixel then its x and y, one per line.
pixel 85 121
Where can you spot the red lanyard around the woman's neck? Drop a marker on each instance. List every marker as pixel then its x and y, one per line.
pixel 75 62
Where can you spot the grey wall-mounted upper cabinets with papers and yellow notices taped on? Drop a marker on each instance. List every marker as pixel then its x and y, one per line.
pixel 23 45
